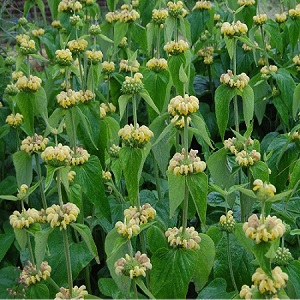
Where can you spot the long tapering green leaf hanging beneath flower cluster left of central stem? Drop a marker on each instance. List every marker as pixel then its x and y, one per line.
pixel 132 162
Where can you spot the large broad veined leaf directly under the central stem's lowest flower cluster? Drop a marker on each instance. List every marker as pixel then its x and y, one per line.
pixel 172 272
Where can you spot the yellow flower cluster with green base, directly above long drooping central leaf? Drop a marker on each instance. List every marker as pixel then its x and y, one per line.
pixel 135 137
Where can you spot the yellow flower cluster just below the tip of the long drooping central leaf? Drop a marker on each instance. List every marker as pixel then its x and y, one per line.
pixel 140 216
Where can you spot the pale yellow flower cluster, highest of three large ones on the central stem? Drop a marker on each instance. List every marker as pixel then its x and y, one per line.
pixel 183 106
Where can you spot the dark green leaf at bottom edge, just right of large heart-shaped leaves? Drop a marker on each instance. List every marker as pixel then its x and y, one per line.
pixel 216 289
